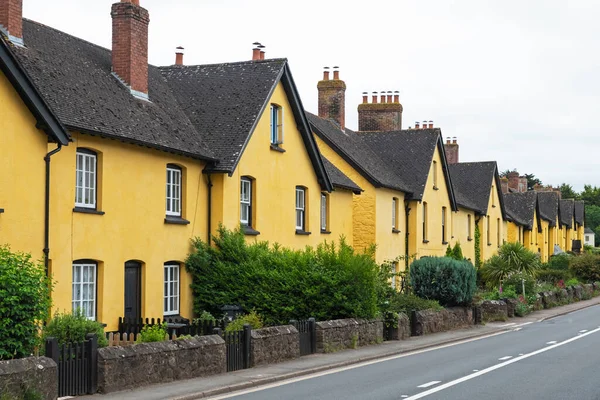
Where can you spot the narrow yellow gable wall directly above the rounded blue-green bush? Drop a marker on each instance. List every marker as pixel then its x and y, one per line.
pixel 435 198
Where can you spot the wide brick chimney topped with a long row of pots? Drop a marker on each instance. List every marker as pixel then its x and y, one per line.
pixel 384 116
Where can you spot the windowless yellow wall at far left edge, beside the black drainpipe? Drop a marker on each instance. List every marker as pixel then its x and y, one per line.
pixel 22 174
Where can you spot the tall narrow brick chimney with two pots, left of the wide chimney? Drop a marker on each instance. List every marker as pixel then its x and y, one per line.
pixel 332 97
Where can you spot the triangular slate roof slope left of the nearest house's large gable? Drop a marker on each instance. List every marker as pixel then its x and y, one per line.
pixel 224 101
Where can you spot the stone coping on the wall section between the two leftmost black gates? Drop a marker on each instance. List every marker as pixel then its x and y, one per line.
pixel 117 352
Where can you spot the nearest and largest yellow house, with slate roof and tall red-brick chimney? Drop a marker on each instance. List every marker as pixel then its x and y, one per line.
pixel 157 157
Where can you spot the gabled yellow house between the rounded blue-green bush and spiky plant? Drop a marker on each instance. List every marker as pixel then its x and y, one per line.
pixel 478 191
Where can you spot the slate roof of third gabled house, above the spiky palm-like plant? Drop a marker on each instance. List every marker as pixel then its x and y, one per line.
pixel 473 183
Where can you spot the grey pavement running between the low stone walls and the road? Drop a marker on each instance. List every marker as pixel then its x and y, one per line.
pixel 225 383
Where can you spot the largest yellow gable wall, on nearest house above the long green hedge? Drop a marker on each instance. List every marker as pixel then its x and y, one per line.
pixel 276 175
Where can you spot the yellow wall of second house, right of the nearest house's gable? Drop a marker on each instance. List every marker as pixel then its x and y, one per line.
pixel 371 212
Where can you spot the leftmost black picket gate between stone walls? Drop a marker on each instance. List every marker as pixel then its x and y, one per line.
pixel 77 365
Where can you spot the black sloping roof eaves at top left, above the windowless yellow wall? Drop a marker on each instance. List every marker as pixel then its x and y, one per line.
pixel 45 117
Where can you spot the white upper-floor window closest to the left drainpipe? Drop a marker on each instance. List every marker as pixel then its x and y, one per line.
pixel 86 169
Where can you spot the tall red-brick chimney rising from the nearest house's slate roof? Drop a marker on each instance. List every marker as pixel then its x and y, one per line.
pixel 130 46
